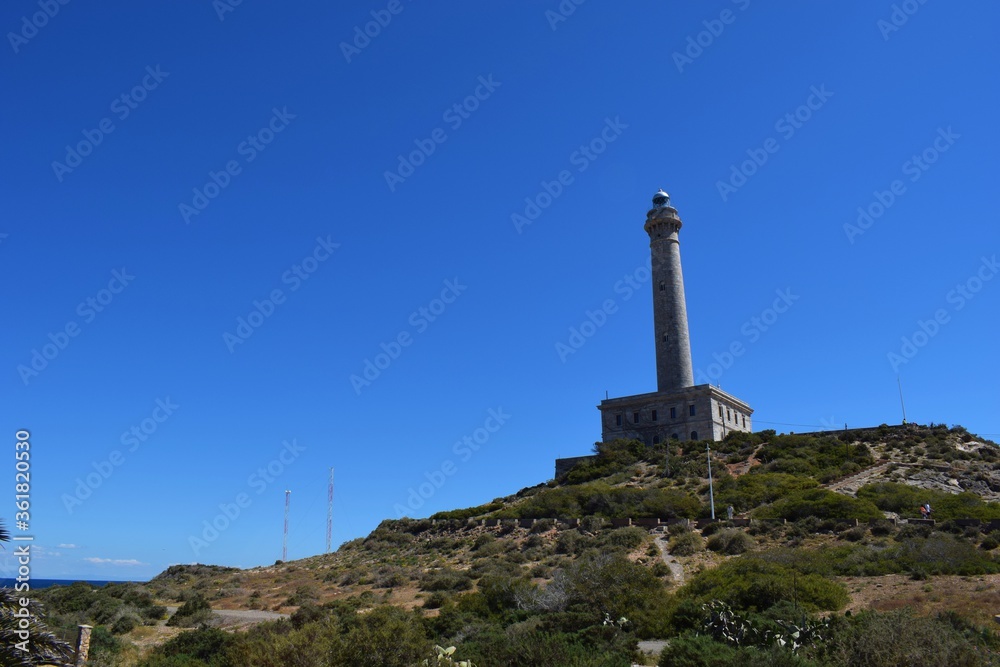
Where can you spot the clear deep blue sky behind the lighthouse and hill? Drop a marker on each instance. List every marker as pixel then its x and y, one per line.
pixel 455 191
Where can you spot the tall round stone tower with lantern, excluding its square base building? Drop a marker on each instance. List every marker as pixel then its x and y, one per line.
pixel 673 343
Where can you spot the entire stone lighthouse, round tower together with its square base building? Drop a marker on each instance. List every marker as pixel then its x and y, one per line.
pixel 678 409
